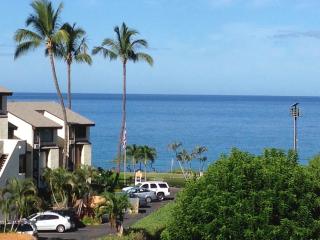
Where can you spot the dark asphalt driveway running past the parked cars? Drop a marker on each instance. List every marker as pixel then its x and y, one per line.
pixel 94 232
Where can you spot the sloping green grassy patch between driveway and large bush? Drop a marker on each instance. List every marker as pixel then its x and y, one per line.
pixel 155 223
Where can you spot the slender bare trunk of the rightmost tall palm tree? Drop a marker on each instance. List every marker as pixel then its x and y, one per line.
pixel 123 114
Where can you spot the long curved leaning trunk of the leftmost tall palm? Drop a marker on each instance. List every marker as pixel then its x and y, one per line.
pixel 66 129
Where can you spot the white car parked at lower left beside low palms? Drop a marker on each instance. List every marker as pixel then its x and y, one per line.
pixel 50 221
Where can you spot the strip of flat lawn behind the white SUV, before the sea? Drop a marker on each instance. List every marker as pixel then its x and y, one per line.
pixel 173 179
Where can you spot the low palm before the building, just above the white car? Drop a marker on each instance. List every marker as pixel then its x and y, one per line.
pixel 61 184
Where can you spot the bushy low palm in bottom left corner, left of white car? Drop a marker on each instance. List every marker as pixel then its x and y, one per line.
pixel 18 198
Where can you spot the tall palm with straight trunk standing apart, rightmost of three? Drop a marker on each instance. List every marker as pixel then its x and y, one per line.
pixel 127 49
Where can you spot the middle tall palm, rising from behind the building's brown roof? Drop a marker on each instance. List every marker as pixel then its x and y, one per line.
pixel 74 49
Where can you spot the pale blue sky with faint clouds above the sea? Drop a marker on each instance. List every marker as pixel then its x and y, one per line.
pixel 242 47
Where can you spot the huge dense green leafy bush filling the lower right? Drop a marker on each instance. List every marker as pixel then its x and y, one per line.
pixel 243 196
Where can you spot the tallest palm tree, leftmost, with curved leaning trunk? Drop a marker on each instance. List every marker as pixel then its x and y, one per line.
pixel 46 31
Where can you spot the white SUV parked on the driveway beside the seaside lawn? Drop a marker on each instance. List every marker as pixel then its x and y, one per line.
pixel 161 189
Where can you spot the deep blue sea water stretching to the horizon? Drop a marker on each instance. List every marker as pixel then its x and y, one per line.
pixel 250 123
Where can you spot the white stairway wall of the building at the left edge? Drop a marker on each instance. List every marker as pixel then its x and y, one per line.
pixel 14 148
